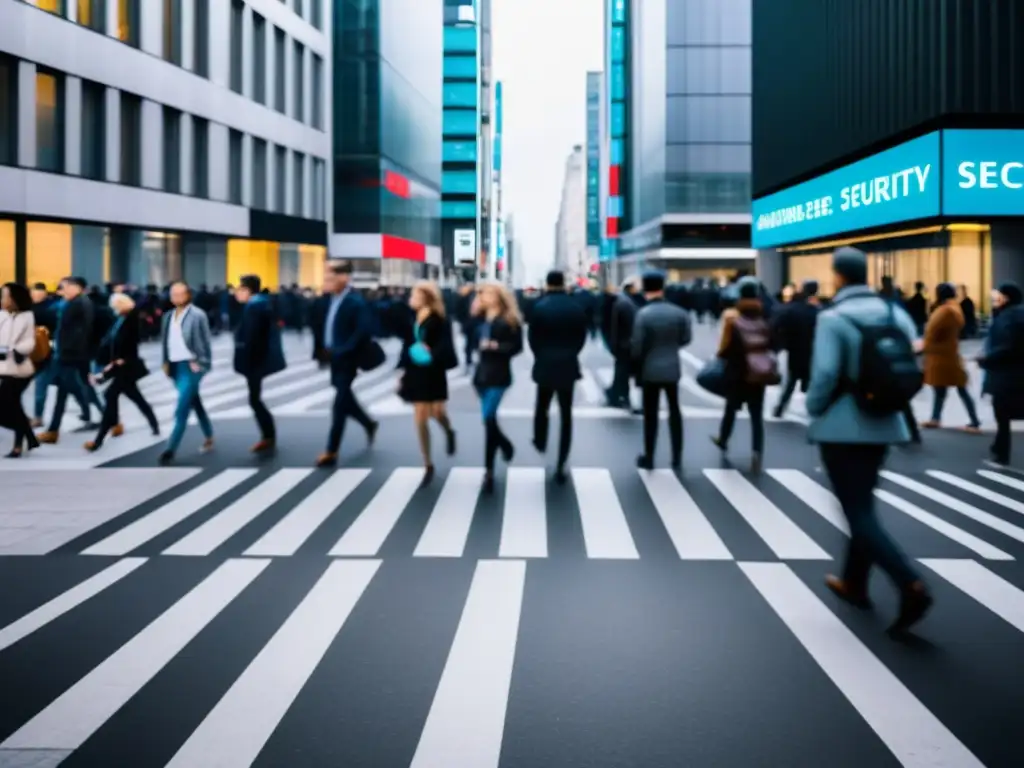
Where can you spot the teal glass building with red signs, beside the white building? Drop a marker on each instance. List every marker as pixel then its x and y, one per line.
pixel 388 59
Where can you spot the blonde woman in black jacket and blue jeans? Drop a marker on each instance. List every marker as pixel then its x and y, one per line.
pixel 500 337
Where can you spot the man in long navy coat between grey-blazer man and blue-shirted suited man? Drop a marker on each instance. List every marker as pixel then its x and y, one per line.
pixel 259 354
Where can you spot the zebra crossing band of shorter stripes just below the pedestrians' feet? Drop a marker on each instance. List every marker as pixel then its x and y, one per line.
pixel 601 515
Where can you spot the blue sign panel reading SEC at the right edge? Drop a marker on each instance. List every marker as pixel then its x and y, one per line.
pixel 984 174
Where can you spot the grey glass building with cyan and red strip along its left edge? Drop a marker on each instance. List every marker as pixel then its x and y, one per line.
pixel 679 90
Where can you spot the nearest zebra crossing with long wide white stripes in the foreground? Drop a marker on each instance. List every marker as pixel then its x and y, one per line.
pixel 260 662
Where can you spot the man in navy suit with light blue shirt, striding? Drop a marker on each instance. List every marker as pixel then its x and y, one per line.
pixel 343 329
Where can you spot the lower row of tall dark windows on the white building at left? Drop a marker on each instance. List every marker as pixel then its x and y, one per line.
pixel 52 123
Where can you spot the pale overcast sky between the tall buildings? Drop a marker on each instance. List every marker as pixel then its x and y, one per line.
pixel 542 53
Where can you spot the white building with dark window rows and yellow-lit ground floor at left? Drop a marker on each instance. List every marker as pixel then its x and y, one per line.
pixel 148 142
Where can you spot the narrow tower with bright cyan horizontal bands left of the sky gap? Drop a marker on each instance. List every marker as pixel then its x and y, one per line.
pixel 467 139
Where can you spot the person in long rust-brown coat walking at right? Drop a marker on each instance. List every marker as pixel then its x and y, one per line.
pixel 944 366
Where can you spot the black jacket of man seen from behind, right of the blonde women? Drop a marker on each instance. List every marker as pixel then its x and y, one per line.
pixel 558 333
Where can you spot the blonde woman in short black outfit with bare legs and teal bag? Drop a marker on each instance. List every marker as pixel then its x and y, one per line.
pixel 426 359
